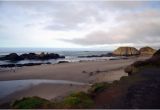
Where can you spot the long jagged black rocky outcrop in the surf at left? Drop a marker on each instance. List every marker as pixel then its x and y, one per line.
pixel 31 56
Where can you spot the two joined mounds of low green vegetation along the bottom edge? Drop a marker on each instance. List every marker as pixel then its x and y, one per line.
pixel 75 100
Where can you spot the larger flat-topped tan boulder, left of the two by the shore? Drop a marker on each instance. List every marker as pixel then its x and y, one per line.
pixel 126 51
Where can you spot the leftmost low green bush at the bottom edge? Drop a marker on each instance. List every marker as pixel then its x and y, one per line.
pixel 31 103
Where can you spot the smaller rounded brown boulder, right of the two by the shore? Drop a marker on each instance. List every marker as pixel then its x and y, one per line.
pixel 147 51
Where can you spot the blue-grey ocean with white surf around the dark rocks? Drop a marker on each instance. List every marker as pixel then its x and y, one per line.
pixel 70 55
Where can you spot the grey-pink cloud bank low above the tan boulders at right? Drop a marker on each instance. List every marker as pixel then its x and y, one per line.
pixel 135 27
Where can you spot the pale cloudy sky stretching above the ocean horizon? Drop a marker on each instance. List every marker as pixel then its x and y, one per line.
pixel 79 24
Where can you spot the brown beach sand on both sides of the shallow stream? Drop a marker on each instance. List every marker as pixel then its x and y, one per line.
pixel 87 72
